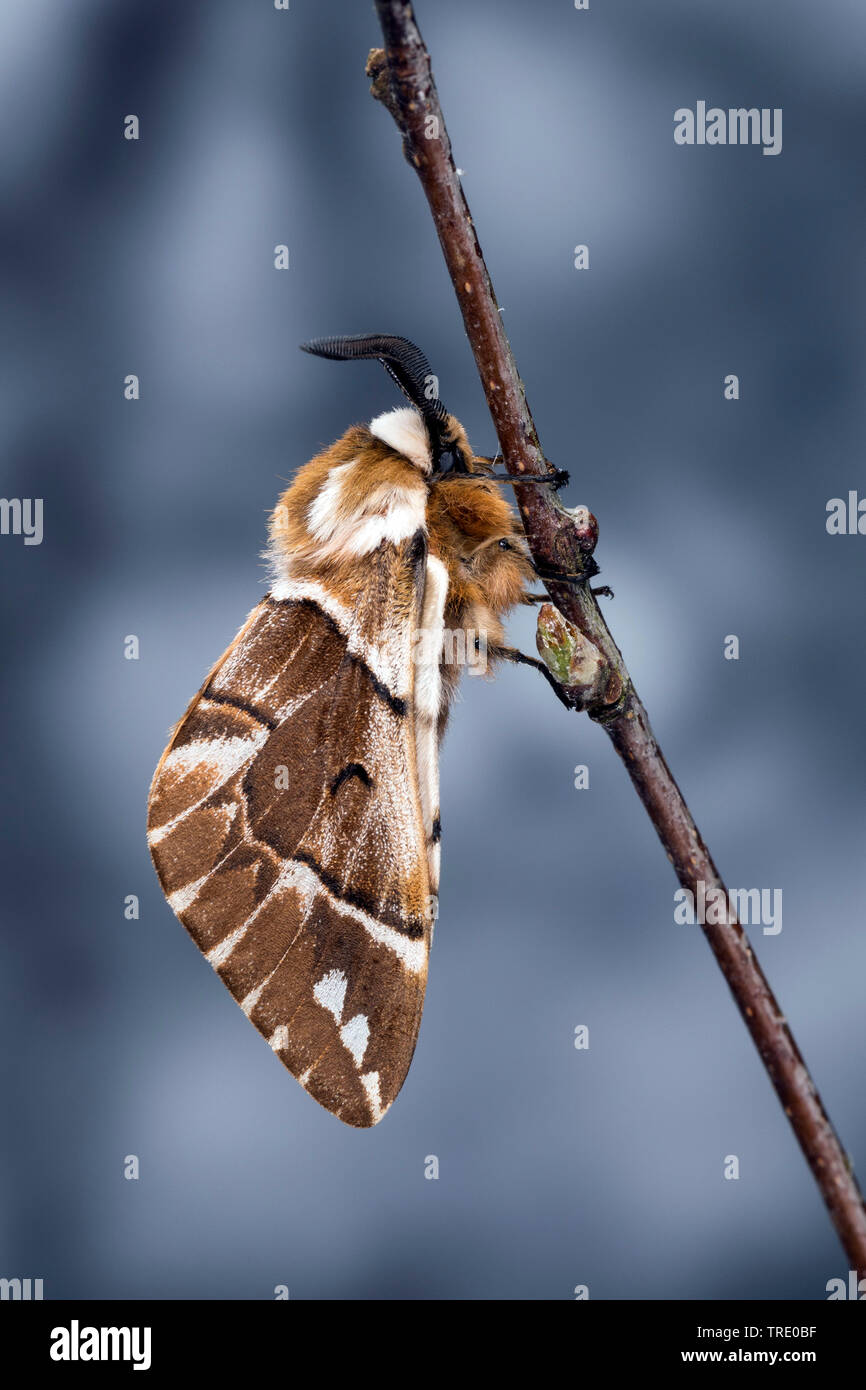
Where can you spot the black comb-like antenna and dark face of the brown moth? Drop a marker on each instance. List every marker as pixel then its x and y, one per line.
pixel 409 368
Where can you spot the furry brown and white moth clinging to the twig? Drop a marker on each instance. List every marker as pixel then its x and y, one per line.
pixel 294 818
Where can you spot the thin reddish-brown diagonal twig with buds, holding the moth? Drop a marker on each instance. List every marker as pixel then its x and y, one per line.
pixel 402 80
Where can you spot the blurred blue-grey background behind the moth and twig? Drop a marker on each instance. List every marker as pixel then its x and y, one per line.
pixel 156 258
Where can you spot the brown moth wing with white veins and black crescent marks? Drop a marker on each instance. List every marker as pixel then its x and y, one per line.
pixel 287 829
